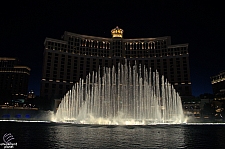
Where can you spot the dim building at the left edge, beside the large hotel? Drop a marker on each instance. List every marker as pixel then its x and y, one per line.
pixel 14 80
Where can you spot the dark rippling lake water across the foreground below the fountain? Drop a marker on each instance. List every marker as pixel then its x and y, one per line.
pixel 54 135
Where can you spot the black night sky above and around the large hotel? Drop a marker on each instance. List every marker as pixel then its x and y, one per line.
pixel 24 27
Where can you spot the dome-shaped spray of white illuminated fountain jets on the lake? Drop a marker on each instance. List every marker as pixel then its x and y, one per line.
pixel 123 95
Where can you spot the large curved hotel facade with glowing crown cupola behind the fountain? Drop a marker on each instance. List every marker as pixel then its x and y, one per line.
pixel 73 57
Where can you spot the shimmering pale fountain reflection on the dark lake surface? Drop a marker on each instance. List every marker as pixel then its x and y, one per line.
pixel 119 136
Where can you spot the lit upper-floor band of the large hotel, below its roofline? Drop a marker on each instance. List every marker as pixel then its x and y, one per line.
pixel 80 46
